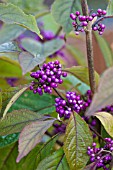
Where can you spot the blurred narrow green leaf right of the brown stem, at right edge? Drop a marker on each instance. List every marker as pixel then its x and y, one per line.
pixel 106 51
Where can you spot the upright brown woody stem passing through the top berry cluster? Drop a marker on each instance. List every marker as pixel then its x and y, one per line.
pixel 89 47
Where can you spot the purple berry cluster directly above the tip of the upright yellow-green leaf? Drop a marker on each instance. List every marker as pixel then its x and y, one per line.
pixel 73 103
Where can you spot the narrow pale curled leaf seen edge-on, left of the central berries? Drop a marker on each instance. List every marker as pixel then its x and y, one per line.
pixel 13 99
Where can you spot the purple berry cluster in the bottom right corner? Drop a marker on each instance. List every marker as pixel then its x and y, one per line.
pixel 101 156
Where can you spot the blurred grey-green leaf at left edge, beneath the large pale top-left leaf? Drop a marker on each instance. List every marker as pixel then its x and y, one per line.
pixel 10 32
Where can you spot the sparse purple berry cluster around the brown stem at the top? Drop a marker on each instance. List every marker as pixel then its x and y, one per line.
pixel 80 21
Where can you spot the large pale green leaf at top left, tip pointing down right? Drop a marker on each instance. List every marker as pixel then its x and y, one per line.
pixel 11 14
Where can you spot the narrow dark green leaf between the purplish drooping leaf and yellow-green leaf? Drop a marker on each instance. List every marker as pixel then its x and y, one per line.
pixel 46 149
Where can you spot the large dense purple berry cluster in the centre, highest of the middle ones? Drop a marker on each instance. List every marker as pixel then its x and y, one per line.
pixel 48 77
